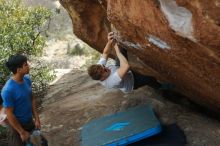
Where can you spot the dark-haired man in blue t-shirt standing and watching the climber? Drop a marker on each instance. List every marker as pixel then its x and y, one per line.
pixel 19 102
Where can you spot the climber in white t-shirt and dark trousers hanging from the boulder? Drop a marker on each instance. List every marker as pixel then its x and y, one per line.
pixel 119 75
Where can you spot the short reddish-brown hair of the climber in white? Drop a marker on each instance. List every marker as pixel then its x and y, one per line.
pixel 95 71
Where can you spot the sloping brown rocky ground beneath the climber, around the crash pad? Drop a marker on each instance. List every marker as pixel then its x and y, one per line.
pixel 75 99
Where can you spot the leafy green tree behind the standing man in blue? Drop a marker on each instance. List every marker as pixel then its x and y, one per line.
pixel 21 31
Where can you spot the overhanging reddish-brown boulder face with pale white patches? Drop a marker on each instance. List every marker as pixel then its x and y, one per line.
pixel 175 40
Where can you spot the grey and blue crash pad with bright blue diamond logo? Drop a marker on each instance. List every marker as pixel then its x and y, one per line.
pixel 122 128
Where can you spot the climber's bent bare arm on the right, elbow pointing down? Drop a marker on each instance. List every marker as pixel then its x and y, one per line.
pixel 124 66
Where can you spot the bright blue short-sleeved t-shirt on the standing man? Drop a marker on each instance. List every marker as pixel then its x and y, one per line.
pixel 18 96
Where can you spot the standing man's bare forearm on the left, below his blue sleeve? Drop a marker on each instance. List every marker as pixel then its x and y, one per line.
pixel 15 124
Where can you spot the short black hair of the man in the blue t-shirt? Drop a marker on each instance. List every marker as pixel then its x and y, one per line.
pixel 15 61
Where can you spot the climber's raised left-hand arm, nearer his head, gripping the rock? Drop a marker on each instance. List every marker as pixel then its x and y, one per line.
pixel 108 46
